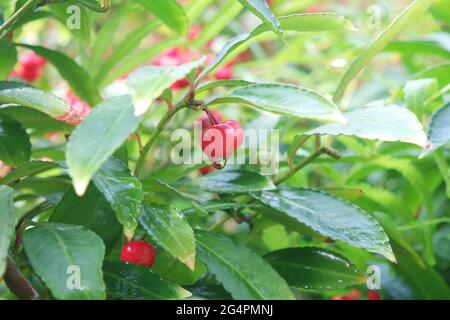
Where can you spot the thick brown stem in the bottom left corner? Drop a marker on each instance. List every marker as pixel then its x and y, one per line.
pixel 17 283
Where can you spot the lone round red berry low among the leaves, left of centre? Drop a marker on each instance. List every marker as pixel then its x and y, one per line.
pixel 138 252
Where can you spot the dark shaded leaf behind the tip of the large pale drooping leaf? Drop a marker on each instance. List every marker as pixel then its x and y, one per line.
pixel 91 211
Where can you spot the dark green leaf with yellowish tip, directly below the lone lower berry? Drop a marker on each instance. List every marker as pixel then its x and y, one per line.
pixel 132 282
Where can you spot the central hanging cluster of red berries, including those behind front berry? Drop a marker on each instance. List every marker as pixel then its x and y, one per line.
pixel 219 138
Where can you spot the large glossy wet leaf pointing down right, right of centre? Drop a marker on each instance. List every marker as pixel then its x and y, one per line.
pixel 330 216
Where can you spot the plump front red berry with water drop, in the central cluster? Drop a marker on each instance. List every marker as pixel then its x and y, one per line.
pixel 221 140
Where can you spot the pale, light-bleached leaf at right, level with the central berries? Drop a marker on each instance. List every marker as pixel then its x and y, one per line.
pixel 378 122
